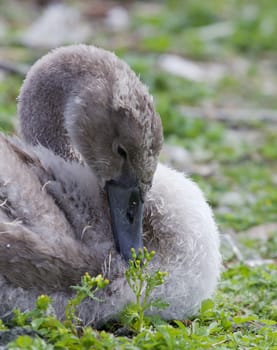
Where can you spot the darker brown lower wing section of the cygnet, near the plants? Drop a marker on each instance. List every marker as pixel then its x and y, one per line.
pixel 27 261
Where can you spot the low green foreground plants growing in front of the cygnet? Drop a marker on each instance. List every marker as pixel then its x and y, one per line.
pixel 243 315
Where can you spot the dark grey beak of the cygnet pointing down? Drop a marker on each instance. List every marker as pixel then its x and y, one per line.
pixel 126 208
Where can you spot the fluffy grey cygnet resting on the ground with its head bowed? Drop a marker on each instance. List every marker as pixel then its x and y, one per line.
pixel 85 186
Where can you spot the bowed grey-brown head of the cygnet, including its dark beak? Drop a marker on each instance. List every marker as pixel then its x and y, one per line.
pixel 112 122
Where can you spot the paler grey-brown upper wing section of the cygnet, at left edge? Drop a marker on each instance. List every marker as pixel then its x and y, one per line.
pixel 23 196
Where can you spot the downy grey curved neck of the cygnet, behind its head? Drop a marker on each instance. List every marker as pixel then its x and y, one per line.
pixel 53 83
